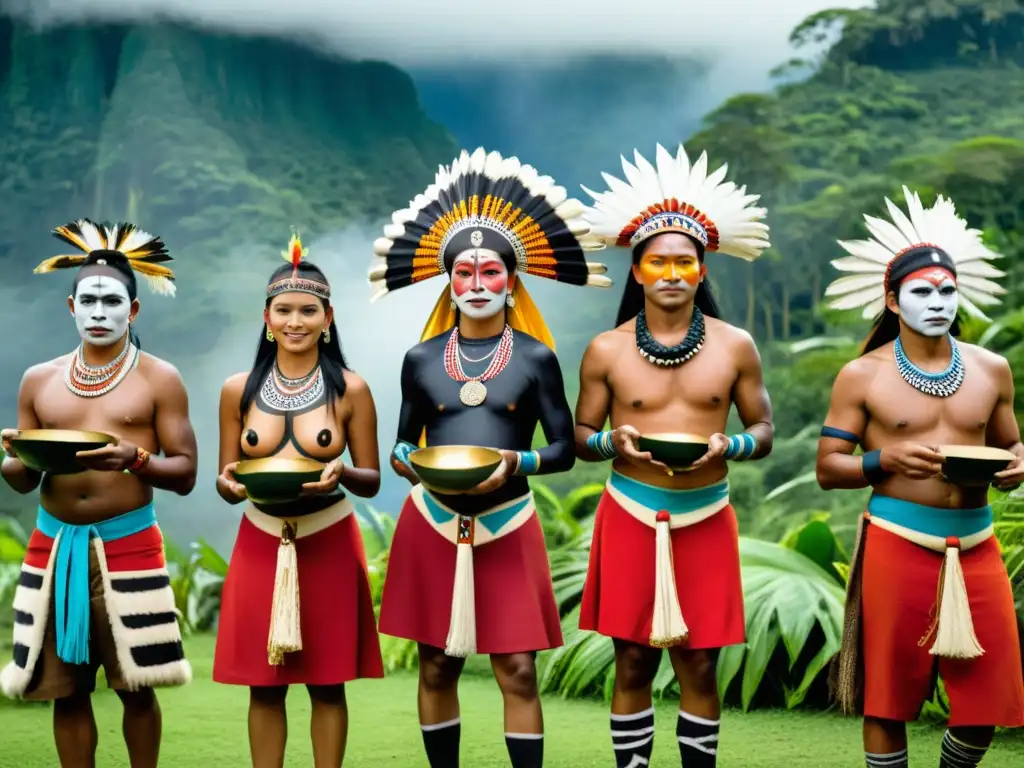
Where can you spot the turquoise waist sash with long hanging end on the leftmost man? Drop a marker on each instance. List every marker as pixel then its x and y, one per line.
pixel 71 572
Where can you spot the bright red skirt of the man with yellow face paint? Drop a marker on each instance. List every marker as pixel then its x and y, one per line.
pixel 619 593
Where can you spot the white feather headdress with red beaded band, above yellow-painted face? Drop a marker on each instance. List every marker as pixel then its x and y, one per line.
pixel 676 197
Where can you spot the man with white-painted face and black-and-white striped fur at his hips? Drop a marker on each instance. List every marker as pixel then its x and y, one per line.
pixel 95 589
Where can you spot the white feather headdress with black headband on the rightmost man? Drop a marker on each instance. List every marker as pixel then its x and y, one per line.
pixel 928 237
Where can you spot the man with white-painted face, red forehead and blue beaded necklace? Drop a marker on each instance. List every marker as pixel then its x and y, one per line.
pixel 927 587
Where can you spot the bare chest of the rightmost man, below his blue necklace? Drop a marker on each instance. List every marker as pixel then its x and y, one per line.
pixel 901 410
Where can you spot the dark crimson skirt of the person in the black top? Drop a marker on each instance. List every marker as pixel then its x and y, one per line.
pixel 516 602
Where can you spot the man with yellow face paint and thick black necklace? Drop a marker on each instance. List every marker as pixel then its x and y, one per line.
pixel 666 544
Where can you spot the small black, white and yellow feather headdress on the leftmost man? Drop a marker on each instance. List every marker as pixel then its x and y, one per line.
pixel 144 252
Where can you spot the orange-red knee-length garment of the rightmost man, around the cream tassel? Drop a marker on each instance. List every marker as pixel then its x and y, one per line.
pixel 900 581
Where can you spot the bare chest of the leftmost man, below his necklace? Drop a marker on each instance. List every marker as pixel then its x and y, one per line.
pixel 127 408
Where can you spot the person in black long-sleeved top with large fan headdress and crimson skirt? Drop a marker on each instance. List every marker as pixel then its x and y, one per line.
pixel 468 574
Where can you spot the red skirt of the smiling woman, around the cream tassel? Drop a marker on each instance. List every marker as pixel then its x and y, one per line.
pixel 339 634
